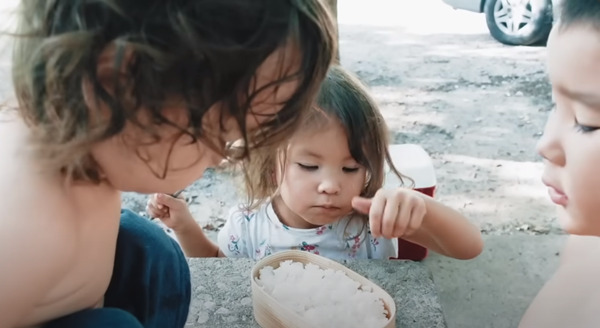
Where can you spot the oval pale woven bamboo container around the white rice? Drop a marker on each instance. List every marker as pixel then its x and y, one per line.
pixel 269 313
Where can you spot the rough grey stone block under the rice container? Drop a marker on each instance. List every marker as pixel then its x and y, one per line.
pixel 222 295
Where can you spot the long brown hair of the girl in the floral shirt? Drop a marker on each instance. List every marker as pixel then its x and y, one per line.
pixel 346 100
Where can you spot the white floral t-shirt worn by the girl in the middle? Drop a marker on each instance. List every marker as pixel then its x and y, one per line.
pixel 260 233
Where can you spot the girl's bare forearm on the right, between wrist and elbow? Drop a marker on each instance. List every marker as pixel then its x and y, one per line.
pixel 446 231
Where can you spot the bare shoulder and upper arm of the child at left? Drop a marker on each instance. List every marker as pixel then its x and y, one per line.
pixel 36 235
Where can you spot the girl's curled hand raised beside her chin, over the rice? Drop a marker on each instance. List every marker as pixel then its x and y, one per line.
pixel 393 213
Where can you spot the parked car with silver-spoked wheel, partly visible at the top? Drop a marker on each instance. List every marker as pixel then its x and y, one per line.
pixel 513 22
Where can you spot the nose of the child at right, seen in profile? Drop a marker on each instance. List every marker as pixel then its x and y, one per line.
pixel 550 146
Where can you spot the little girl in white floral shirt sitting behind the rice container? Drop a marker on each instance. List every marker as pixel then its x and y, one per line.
pixel 322 193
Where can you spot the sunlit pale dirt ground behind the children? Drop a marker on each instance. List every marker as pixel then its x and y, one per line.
pixel 475 105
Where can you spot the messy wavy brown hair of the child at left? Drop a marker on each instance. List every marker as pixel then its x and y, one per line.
pixel 203 51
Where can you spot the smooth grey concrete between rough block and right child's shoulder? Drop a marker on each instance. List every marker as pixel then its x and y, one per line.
pixel 495 289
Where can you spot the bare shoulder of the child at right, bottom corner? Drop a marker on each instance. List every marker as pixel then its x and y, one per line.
pixel 570 298
